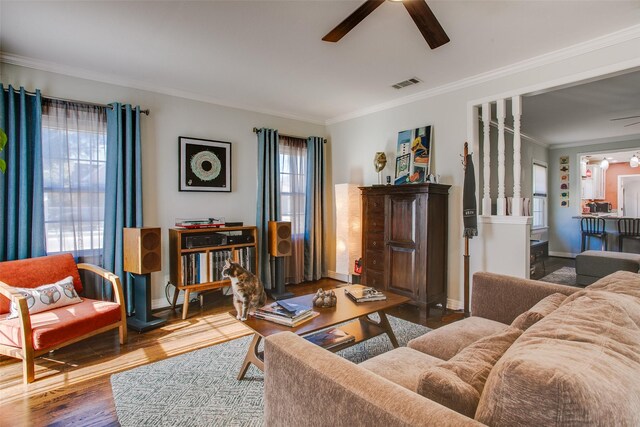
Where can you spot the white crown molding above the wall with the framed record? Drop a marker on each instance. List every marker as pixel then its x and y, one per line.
pixel 52 67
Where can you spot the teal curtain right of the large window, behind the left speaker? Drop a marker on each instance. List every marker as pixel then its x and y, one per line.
pixel 123 188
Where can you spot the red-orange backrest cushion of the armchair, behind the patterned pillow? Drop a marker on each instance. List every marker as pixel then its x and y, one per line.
pixel 34 272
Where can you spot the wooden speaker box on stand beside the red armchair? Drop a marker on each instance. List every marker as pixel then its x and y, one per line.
pixel 142 250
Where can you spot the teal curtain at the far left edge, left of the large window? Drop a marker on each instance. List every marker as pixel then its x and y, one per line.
pixel 22 232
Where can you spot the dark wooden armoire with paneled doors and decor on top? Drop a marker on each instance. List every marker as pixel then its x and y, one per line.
pixel 404 240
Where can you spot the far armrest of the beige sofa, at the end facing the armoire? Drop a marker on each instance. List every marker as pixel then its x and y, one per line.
pixel 503 298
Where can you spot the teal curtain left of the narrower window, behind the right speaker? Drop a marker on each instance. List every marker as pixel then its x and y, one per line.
pixel 268 206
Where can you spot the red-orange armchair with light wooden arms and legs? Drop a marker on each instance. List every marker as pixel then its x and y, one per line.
pixel 31 335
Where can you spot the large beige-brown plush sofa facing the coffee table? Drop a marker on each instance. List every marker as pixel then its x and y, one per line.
pixel 532 353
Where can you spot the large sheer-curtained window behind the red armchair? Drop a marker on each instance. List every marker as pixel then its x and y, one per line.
pixel 74 166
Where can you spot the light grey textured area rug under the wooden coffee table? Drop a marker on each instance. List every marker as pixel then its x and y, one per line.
pixel 200 388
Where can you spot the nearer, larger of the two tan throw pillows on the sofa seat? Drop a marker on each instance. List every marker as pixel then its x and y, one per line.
pixel 445 383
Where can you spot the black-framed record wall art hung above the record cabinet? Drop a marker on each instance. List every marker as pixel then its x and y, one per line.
pixel 205 165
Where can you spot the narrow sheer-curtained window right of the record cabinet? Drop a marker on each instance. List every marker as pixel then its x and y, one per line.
pixel 293 184
